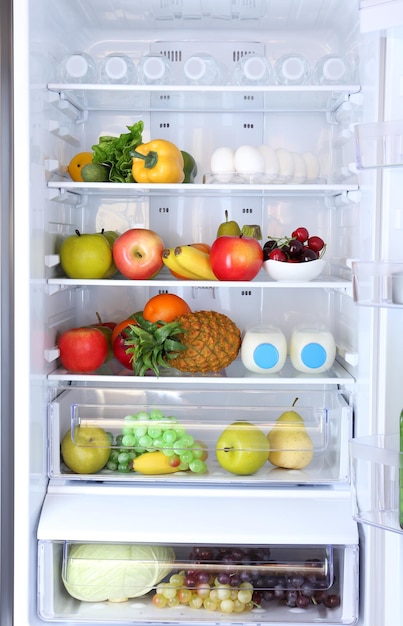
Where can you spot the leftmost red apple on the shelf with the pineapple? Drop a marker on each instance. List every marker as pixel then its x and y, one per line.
pixel 82 349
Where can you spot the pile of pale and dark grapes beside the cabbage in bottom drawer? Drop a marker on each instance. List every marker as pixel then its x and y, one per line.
pixel 233 580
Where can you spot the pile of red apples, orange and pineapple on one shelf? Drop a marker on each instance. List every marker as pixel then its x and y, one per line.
pixel 167 333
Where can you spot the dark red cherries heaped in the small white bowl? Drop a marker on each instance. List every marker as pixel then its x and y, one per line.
pixel 298 248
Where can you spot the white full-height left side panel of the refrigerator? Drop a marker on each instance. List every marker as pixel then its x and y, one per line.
pixel 30 433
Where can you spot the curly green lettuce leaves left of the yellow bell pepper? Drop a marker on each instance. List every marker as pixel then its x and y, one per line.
pixel 115 152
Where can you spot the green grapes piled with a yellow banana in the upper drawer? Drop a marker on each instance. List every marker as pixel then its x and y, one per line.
pixel 152 443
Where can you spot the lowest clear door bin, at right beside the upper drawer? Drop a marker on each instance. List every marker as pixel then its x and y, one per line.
pixel 377 481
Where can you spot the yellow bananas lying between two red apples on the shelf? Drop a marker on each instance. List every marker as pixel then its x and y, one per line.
pixel 190 262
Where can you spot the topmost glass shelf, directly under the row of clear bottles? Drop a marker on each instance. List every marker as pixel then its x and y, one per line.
pixel 138 98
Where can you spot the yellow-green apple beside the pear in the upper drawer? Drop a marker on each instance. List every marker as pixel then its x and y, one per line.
pixel 242 448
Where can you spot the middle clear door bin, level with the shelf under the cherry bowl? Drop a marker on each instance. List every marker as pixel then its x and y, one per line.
pixel 378 284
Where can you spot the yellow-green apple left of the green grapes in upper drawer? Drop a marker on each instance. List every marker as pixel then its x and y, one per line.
pixel 89 452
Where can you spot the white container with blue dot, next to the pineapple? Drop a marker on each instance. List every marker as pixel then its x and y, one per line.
pixel 263 350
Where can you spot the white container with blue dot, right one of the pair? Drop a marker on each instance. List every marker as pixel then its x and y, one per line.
pixel 312 351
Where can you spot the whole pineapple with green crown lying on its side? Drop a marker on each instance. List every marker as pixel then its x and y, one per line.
pixel 201 341
